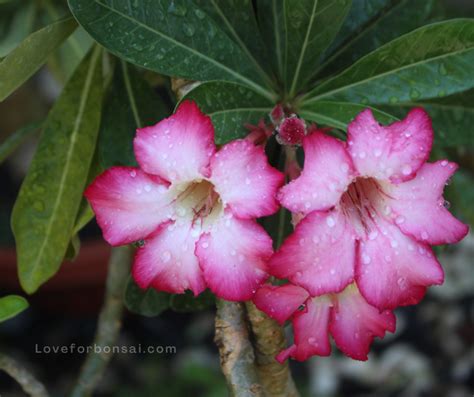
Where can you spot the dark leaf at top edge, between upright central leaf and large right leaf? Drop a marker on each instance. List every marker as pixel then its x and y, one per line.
pixel 372 23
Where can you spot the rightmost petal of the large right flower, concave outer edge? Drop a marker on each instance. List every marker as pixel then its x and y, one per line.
pixel 418 206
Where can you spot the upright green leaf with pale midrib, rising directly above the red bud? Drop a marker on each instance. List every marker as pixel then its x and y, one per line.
pixel 298 32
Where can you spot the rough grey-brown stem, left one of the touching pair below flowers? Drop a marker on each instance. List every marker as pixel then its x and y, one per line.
pixel 235 350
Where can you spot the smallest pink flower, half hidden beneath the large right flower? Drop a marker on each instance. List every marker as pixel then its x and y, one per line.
pixel 351 321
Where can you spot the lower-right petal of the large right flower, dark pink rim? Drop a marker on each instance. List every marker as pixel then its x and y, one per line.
pixel 394 270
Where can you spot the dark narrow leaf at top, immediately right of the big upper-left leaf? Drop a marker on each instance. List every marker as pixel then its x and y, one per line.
pixel 237 18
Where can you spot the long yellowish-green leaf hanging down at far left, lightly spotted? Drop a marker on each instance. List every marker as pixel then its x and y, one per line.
pixel 44 213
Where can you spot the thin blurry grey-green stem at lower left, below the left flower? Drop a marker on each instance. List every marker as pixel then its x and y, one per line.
pixel 109 324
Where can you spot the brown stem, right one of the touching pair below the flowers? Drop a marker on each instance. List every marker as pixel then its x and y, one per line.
pixel 269 340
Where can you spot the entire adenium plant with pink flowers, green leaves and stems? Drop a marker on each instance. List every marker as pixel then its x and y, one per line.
pixel 286 158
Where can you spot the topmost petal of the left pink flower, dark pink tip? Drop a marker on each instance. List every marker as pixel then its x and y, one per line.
pixel 178 148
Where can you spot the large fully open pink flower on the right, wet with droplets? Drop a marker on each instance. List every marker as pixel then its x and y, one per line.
pixel 371 208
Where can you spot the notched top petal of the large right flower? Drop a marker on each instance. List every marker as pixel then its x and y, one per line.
pixel 394 152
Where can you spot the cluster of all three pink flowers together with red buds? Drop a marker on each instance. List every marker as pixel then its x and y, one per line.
pixel 366 212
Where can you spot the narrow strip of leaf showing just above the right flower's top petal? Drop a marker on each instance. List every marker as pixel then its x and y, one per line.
pixel 339 114
